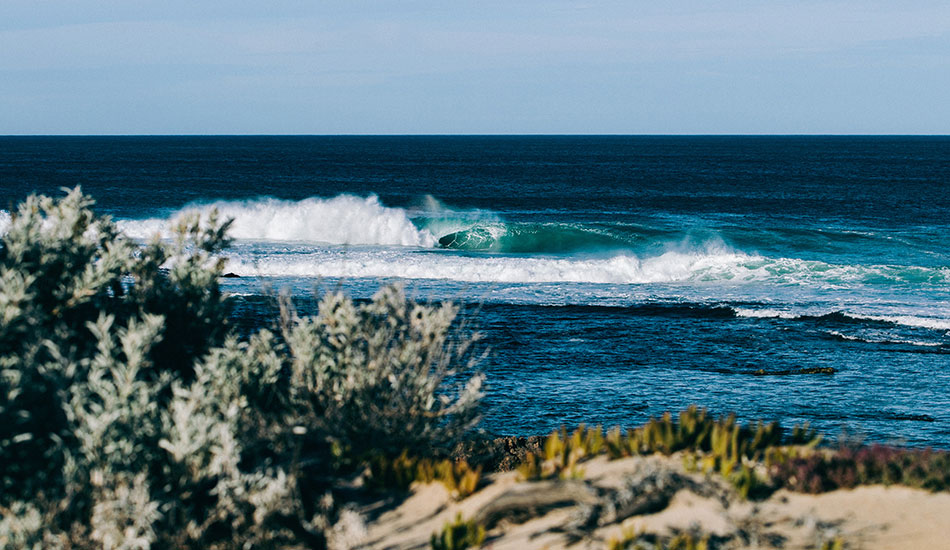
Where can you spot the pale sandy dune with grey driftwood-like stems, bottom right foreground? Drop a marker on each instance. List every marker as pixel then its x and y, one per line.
pixel 657 495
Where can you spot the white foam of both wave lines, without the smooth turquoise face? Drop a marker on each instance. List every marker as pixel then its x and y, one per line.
pixel 361 237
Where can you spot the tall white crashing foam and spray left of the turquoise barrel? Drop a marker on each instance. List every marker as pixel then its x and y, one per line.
pixel 344 219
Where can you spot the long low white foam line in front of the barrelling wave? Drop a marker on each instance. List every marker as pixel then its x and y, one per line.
pixel 710 262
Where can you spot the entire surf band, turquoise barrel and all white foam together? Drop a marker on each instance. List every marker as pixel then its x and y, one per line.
pixel 349 238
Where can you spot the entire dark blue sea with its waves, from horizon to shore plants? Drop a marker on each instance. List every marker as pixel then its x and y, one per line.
pixel 614 278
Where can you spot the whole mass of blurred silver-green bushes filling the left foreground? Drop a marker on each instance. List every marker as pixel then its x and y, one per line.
pixel 130 418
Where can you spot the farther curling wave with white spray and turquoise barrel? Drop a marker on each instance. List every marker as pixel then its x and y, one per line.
pixel 348 219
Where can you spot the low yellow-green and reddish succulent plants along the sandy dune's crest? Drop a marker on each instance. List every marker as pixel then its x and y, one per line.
pixel 756 459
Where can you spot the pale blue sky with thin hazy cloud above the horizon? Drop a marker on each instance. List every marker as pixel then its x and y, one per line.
pixel 462 67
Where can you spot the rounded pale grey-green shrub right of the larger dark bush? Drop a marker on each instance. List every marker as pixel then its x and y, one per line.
pixel 374 377
